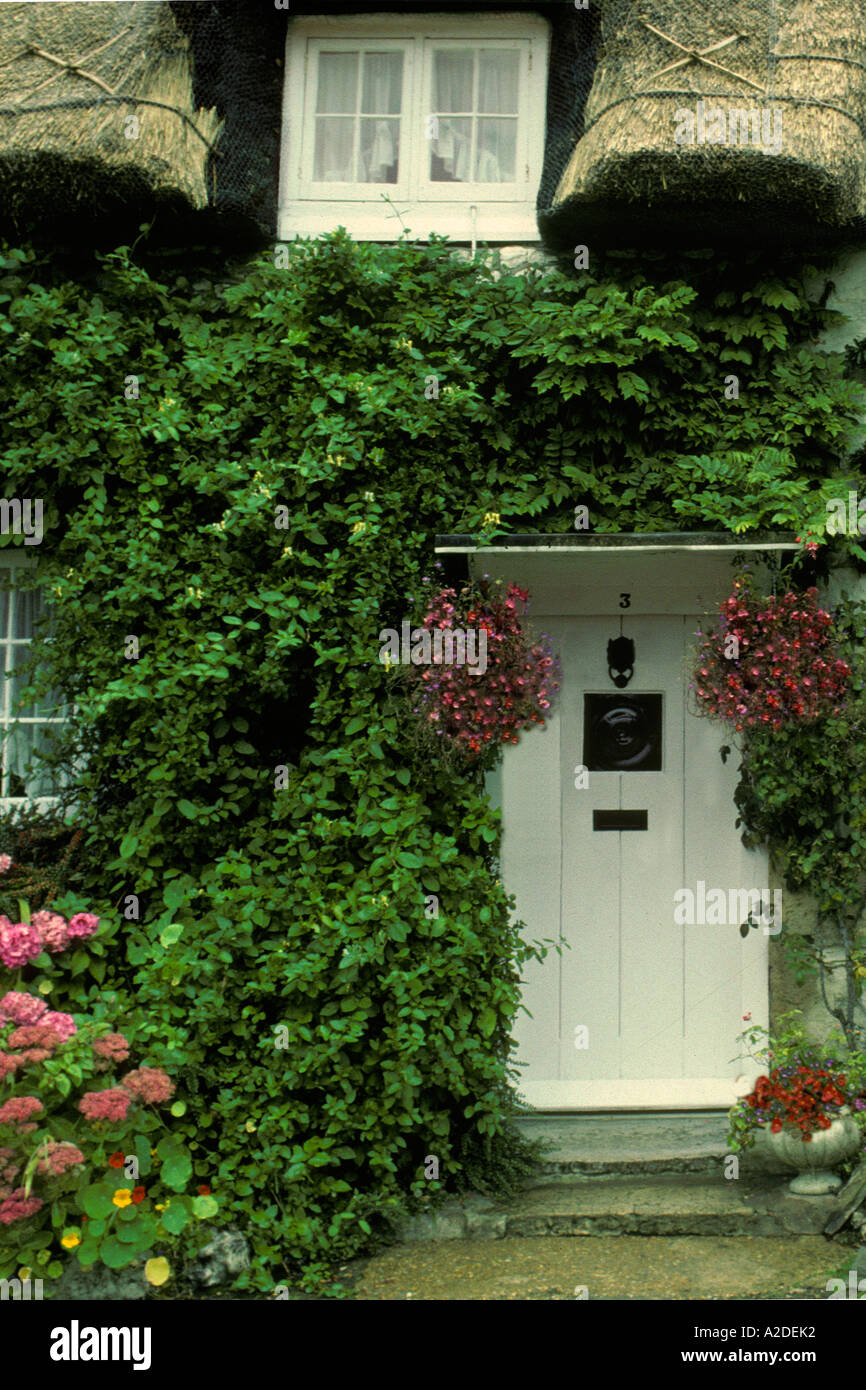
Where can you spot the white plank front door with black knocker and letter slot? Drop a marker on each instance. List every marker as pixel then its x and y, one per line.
pixel 643 1007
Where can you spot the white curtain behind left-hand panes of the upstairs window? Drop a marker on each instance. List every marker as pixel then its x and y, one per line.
pixel 341 108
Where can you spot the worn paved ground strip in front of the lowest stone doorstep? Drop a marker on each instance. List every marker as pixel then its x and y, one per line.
pixel 603 1268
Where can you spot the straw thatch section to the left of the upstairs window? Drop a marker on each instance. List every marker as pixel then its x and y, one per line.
pixel 97 105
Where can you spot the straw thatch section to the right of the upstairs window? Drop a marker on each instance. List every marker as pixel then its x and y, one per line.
pixel 776 94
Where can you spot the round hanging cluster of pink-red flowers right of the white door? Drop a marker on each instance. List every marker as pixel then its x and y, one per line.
pixel 771 662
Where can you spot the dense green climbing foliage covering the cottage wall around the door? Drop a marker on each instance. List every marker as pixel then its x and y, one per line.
pixel 244 472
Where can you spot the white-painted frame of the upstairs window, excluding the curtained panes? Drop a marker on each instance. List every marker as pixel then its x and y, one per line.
pixel 464 212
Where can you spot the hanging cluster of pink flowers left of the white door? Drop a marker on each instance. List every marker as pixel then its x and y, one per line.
pixel 516 690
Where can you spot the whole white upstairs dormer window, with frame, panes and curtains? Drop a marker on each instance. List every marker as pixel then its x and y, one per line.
pixel 433 123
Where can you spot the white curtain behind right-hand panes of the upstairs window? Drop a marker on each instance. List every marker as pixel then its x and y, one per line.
pixel 496 134
